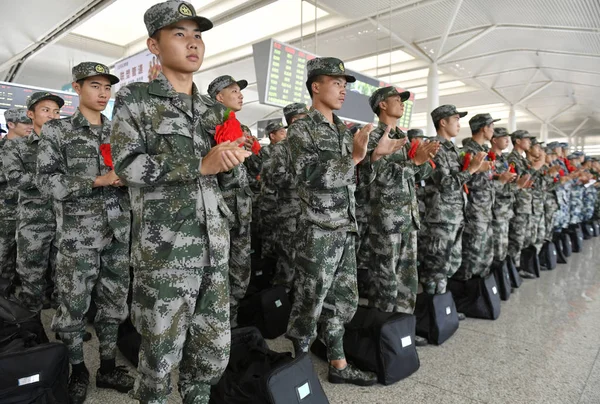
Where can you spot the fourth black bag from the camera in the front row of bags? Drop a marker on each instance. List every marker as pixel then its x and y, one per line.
pixel 477 297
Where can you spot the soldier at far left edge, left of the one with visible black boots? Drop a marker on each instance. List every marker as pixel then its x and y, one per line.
pixel 36 228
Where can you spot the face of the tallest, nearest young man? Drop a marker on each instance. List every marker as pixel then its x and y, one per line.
pixel 179 47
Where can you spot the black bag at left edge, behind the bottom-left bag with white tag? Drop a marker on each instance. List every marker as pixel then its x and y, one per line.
pixel 14 317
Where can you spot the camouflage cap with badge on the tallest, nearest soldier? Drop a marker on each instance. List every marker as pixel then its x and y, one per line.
pixel 169 12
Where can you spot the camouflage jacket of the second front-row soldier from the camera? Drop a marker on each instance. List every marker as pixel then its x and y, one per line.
pixel 322 158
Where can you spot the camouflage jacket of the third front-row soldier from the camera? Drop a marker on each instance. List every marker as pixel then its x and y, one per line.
pixel 392 192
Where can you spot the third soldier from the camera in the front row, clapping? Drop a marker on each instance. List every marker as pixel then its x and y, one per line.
pixel 394 213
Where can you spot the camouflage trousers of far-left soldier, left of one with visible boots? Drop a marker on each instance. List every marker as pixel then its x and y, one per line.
pixel 36 250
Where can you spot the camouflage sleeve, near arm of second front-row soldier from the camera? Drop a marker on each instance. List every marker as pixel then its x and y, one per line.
pixel 318 169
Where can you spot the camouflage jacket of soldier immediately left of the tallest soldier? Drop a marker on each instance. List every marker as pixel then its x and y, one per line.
pixel 68 162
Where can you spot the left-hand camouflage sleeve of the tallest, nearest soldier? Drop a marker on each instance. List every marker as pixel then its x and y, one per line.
pixel 130 155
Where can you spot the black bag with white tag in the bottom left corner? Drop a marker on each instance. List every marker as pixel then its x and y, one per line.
pixel 37 374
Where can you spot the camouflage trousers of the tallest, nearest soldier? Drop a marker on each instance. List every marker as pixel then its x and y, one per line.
pixel 183 318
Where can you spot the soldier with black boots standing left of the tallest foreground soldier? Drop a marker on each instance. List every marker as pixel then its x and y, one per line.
pixel 93 226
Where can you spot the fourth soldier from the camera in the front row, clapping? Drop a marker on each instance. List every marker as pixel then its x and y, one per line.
pixel 444 219
